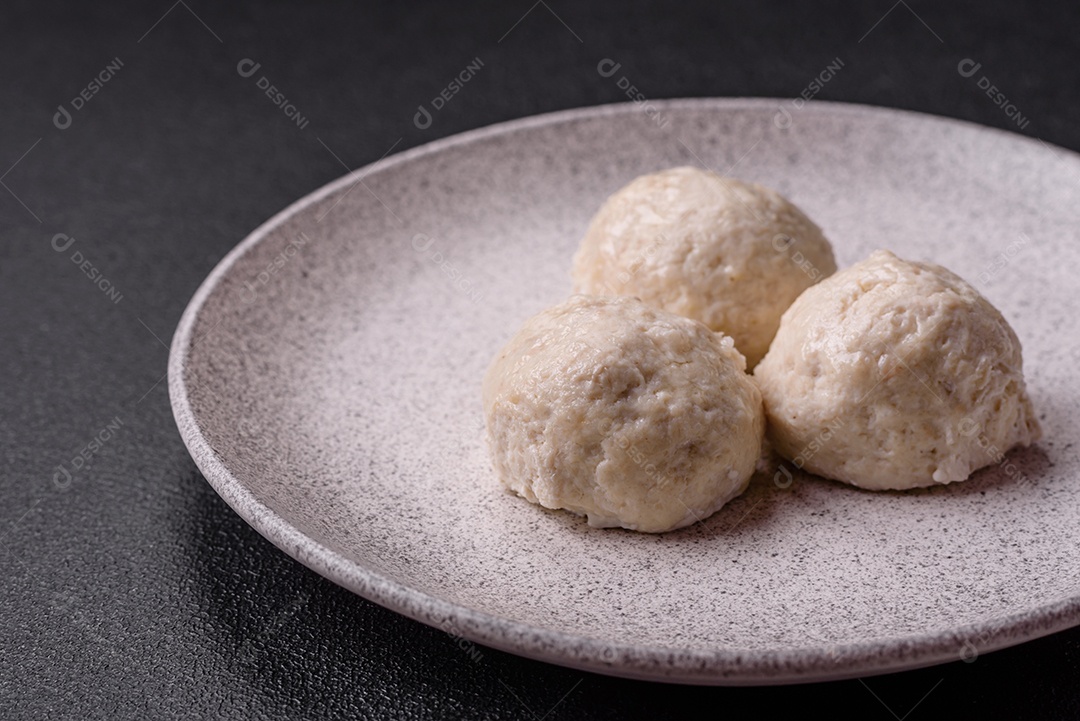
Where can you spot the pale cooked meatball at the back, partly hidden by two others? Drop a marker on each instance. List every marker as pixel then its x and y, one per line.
pixel 733 255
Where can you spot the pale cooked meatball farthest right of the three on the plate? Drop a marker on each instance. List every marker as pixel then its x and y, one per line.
pixel 895 375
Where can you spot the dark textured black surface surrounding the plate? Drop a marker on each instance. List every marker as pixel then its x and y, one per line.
pixel 134 591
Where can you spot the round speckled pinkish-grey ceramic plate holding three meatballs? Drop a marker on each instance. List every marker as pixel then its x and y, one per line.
pixel 327 380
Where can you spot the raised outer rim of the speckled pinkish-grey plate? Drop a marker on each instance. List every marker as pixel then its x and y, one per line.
pixel 722 666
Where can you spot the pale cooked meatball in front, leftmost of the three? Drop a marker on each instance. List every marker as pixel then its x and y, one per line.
pixel 628 415
